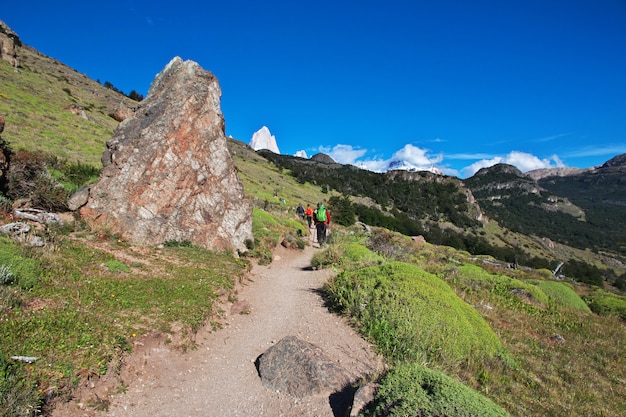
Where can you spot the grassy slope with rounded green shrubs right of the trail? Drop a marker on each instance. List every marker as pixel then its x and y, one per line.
pixel 525 342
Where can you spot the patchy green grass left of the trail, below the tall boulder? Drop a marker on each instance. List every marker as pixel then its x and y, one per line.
pixel 86 306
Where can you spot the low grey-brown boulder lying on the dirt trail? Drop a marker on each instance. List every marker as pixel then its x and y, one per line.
pixel 300 369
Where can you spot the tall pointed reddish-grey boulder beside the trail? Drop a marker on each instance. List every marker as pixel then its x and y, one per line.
pixel 167 173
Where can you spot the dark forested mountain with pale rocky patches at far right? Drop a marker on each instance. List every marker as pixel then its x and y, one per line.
pixel 584 208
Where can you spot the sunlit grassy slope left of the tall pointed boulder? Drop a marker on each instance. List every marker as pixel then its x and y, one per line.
pixel 48 107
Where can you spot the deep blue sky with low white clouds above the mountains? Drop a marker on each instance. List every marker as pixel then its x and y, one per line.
pixel 447 83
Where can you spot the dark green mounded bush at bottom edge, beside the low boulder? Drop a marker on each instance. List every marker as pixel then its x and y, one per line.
pixel 414 390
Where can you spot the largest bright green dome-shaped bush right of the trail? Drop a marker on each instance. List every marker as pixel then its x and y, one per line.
pixel 412 315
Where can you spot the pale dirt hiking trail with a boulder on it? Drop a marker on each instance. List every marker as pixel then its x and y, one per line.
pixel 219 378
